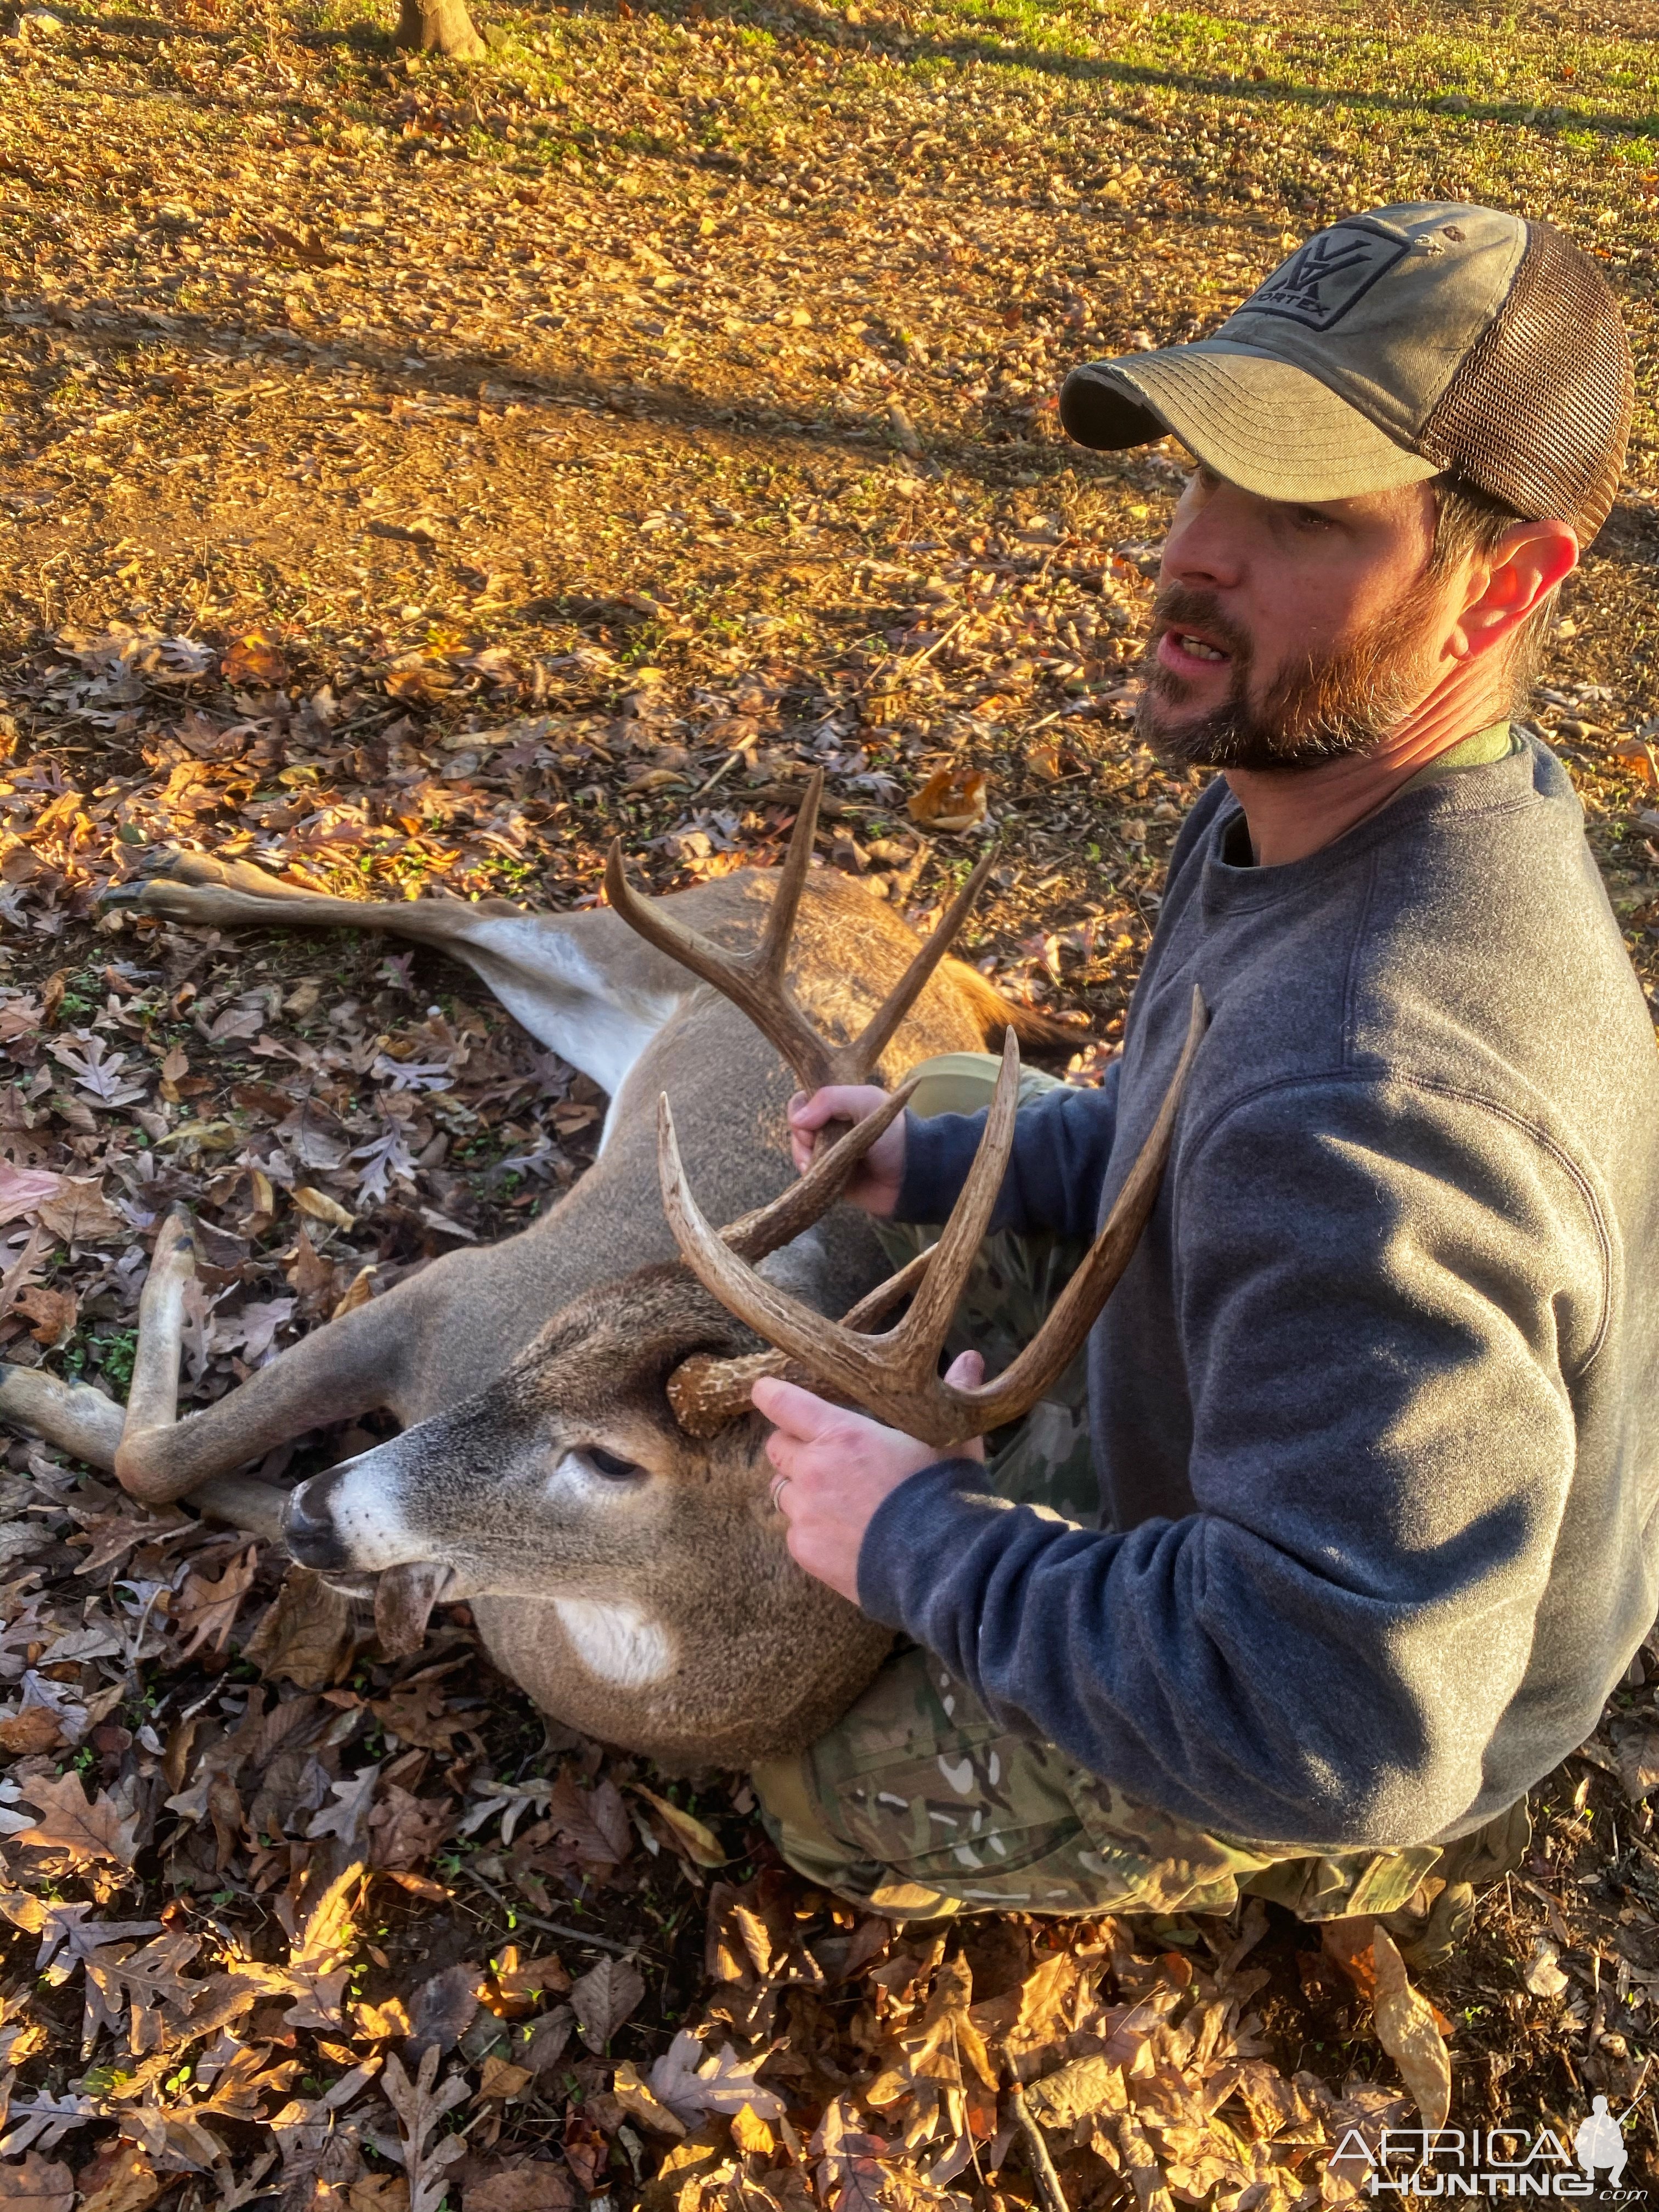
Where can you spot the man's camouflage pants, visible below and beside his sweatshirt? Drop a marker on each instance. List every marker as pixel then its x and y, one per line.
pixel 919 1804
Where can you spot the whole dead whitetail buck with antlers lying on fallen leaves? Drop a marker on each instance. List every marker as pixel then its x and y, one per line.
pixel 578 1457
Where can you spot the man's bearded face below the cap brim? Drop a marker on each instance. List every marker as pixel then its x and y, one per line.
pixel 1291 636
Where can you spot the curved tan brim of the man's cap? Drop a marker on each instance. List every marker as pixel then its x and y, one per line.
pixel 1266 426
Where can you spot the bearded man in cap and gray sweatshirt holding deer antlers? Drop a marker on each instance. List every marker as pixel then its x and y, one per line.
pixel 1373 1406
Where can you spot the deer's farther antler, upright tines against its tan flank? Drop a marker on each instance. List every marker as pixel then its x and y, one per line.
pixel 755 981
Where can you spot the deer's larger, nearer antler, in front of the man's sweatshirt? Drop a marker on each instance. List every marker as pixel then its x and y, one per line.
pixel 897 1375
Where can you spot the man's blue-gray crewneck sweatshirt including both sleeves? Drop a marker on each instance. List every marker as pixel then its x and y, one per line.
pixel 1377 1404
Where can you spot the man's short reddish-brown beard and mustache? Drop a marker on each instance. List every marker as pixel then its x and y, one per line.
pixel 1315 711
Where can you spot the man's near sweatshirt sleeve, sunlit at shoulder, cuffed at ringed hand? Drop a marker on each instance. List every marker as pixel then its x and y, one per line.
pixel 1384 1295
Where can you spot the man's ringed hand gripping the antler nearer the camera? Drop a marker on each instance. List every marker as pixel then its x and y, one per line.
pixel 835 1468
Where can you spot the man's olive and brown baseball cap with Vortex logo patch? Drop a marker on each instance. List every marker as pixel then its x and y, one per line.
pixel 1392 348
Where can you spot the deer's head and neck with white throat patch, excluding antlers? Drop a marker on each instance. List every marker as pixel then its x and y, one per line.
pixel 632 1576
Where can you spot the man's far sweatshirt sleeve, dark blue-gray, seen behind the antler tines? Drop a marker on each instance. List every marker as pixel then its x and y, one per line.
pixel 1063 1145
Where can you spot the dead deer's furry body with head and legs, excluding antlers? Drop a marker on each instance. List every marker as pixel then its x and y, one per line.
pixel 632 1578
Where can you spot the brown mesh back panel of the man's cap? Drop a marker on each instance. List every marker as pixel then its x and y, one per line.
pixel 1541 408
